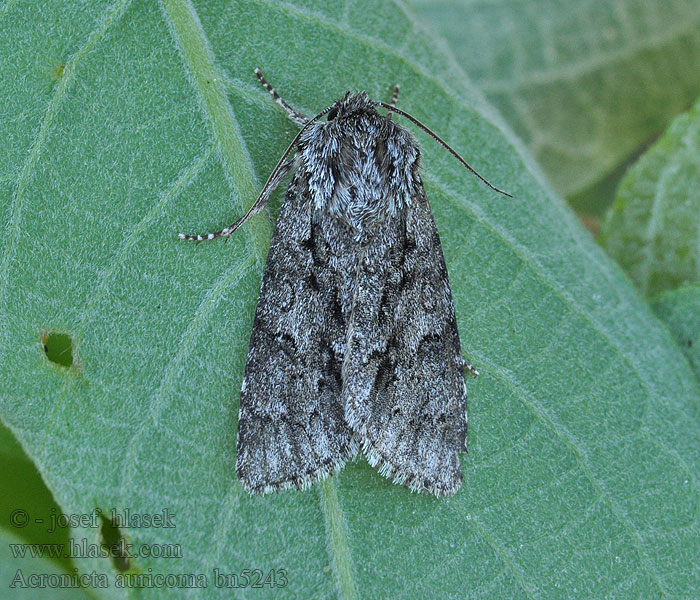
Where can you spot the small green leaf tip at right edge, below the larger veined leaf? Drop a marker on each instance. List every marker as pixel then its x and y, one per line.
pixel 679 309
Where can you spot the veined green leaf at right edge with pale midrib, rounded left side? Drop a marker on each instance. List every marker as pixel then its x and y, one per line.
pixel 653 229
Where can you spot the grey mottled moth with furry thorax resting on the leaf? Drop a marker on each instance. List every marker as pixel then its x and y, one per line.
pixel 354 344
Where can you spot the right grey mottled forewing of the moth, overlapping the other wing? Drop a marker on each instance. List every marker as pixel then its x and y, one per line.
pixel 404 374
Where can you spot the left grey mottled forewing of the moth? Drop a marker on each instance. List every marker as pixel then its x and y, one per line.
pixel 291 428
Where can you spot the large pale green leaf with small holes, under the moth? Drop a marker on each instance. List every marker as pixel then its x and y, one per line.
pixel 581 478
